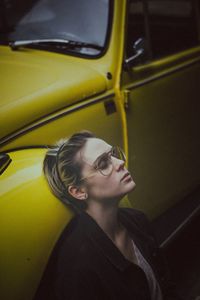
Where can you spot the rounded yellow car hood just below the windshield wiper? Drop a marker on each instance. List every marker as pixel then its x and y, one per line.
pixel 36 83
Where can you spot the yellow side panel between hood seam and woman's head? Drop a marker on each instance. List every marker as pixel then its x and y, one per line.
pixel 59 125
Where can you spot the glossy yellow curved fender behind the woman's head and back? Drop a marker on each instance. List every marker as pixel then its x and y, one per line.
pixel 31 221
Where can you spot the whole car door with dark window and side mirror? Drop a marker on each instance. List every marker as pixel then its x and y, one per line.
pixel 161 82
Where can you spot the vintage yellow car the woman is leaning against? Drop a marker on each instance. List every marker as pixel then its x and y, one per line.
pixel 129 71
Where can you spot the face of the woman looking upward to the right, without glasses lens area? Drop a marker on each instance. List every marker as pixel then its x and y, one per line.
pixel 99 187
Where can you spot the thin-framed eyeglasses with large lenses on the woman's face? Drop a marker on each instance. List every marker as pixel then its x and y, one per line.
pixel 104 163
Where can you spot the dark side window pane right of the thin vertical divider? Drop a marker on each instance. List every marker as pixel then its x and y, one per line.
pixel 172 26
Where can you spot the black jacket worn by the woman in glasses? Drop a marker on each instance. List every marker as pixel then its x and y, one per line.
pixel 85 263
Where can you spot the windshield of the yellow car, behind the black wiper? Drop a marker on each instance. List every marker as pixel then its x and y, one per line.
pixel 85 23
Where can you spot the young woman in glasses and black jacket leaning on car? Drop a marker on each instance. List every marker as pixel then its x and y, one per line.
pixel 106 252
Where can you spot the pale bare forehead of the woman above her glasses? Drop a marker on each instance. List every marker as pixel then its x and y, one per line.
pixel 93 148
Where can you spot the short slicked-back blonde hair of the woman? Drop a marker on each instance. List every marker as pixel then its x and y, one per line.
pixel 61 168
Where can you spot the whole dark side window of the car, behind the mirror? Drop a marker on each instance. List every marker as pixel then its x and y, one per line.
pixel 169 26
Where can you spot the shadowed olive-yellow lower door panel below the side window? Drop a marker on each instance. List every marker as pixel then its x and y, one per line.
pixel 164 130
